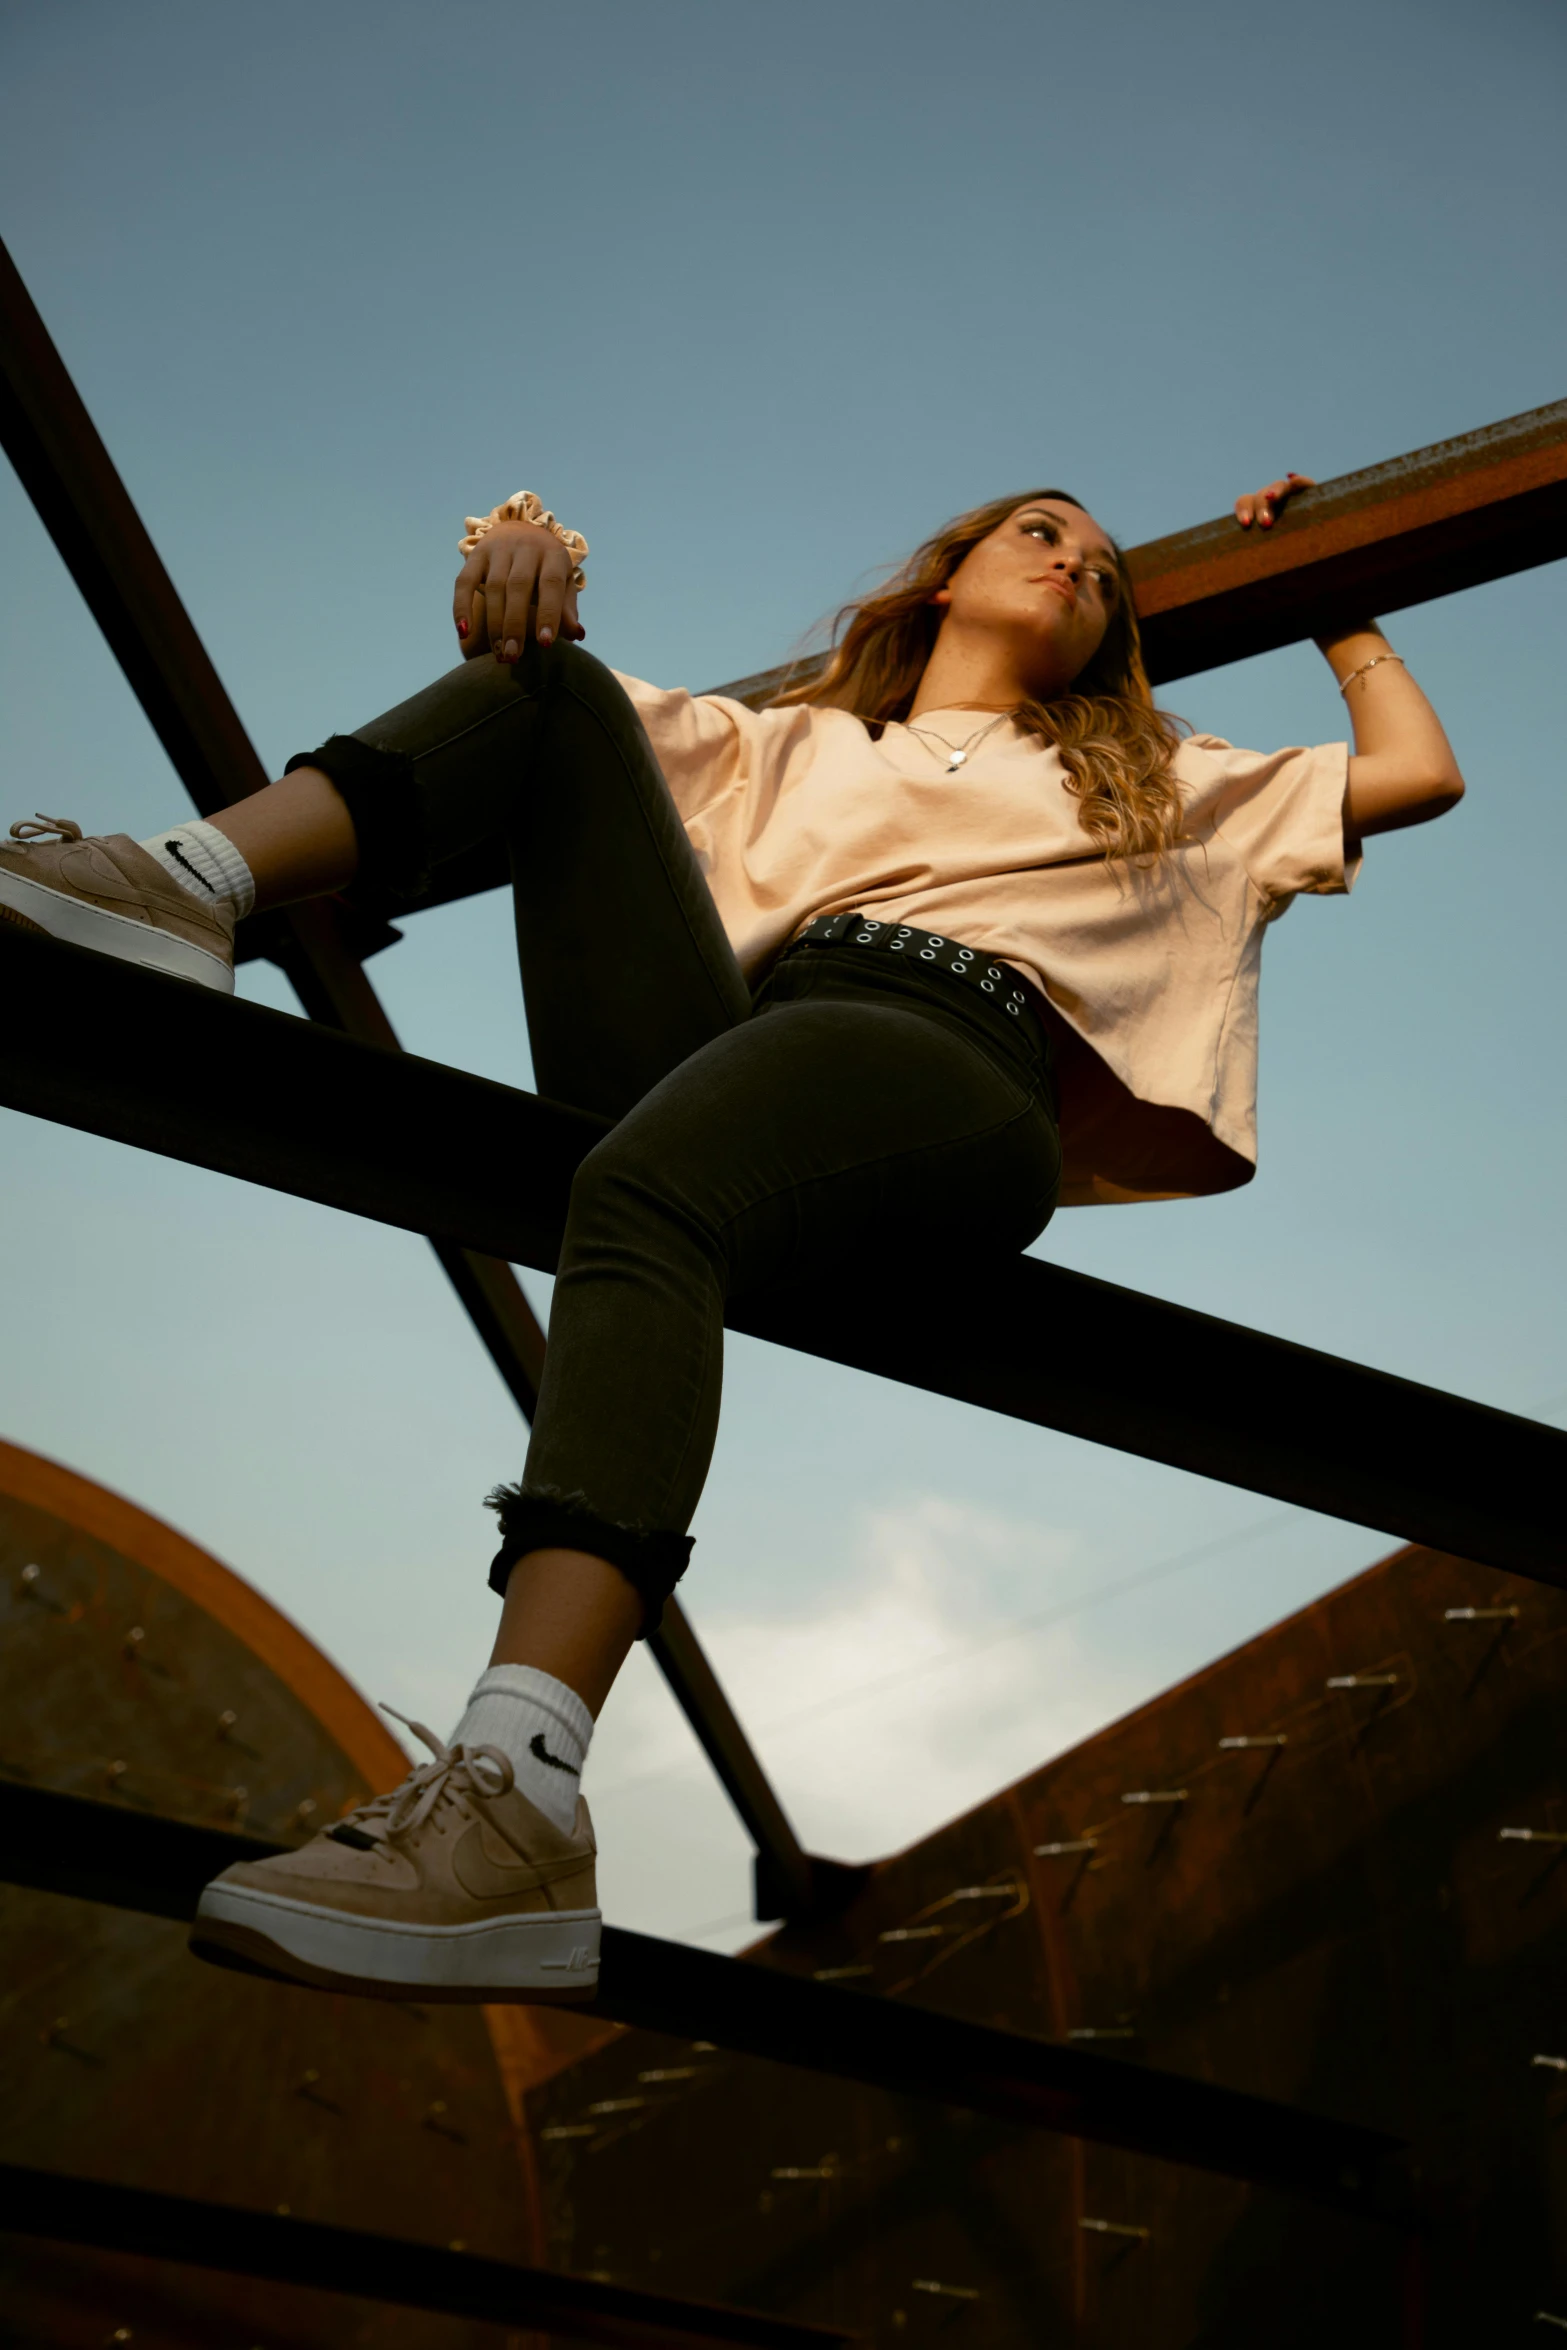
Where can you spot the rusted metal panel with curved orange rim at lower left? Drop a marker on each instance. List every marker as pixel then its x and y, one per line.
pixel 142 1672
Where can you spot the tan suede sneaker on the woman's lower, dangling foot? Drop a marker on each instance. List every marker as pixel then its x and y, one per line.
pixel 450 1888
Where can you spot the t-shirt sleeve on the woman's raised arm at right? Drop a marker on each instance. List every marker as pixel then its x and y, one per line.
pixel 1282 812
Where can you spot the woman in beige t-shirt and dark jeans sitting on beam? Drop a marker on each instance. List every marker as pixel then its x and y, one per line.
pixel 960 929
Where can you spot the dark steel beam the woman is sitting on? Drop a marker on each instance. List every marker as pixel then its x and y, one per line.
pixel 485 1167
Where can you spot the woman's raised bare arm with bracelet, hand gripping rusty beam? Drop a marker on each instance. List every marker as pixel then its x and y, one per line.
pixel 1401 770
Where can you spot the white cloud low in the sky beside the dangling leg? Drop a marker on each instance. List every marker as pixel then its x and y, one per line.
pixel 877 1717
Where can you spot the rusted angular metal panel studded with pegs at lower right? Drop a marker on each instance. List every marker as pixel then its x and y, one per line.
pixel 1338 1923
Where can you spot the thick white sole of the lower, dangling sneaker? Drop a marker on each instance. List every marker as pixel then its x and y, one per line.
pixel 534 1956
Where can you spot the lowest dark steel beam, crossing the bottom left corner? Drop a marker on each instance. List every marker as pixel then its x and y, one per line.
pixel 379 2267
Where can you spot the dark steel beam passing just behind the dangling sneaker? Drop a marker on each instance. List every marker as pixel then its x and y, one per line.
pixel 133 1860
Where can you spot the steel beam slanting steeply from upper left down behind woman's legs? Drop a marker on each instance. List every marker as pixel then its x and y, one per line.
pixel 88 511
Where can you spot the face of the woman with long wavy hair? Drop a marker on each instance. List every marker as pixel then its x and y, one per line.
pixel 1049 582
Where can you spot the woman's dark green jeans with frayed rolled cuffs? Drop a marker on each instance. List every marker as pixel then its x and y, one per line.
pixel 849 1108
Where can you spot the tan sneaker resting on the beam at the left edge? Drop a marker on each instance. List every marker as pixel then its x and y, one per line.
pixel 114 897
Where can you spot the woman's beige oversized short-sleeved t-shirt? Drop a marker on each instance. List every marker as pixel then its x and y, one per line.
pixel 1150 972
